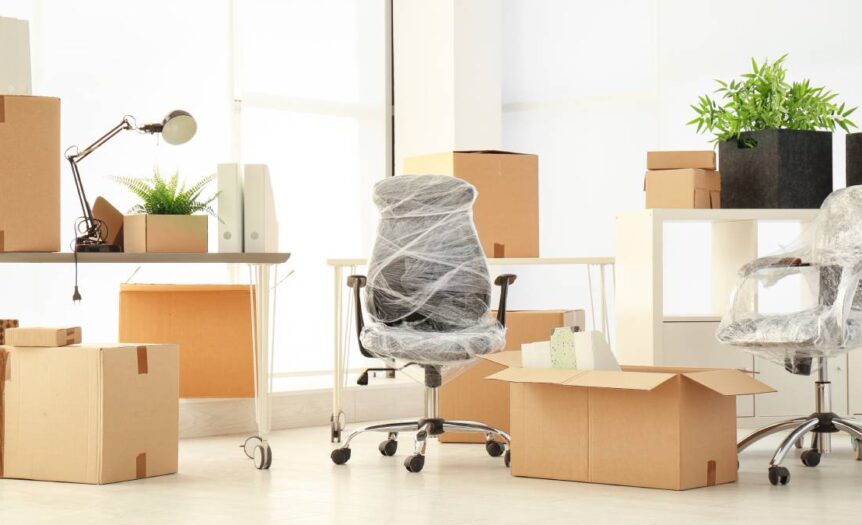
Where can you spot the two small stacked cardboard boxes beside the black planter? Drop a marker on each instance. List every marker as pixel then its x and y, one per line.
pixel 682 179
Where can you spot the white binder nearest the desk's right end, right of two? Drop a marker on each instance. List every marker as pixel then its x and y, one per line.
pixel 261 225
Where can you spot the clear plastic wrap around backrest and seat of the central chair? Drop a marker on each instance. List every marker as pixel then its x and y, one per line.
pixel 428 291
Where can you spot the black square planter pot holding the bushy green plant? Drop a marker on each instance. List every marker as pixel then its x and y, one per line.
pixel 786 169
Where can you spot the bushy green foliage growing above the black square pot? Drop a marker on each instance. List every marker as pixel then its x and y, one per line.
pixel 763 99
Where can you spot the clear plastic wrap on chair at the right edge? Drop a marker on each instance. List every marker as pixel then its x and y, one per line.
pixel 827 257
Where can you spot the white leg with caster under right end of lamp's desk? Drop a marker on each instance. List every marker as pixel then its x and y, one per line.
pixel 262 312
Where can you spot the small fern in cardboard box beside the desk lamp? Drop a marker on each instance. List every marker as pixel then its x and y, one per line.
pixel 165 220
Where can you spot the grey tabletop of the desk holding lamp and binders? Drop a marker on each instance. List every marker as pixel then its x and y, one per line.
pixel 145 258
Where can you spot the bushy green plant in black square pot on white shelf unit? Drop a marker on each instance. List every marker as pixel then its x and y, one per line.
pixel 774 138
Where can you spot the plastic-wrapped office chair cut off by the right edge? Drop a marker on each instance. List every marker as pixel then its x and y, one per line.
pixel 830 257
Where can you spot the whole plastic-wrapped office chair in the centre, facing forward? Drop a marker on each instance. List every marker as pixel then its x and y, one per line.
pixel 427 293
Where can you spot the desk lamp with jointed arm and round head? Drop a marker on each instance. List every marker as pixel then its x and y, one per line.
pixel 178 127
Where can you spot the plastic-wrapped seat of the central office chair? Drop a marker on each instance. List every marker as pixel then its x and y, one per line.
pixel 434 348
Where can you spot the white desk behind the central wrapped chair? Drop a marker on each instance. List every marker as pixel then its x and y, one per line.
pixel 344 334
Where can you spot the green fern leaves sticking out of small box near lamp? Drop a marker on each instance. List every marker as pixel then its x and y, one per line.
pixel 169 197
